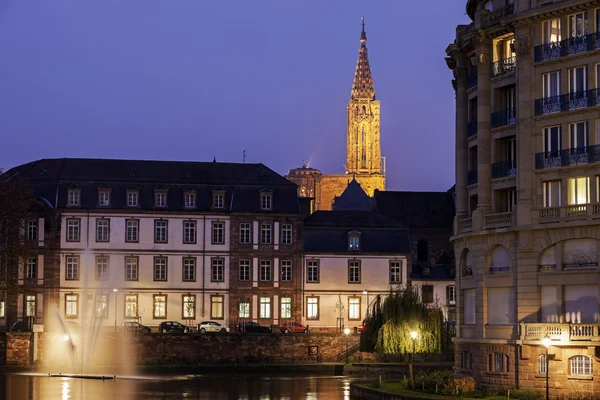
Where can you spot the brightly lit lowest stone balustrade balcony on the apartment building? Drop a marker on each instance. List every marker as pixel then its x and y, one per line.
pixel 563 333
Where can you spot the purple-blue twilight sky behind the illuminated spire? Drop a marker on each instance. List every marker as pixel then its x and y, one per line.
pixel 193 79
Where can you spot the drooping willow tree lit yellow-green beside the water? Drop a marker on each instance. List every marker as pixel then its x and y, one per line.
pixel 389 325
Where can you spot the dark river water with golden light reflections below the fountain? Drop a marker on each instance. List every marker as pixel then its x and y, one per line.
pixel 213 387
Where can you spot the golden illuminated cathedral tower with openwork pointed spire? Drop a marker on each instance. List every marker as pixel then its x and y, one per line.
pixel 363 148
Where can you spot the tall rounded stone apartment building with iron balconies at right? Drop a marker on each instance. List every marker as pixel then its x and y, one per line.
pixel 526 231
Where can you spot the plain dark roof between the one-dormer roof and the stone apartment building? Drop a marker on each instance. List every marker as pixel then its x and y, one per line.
pixel 417 209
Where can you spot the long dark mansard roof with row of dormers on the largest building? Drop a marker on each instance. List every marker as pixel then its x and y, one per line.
pixel 242 182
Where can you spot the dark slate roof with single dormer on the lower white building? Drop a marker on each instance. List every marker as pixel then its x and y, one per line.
pixel 327 232
